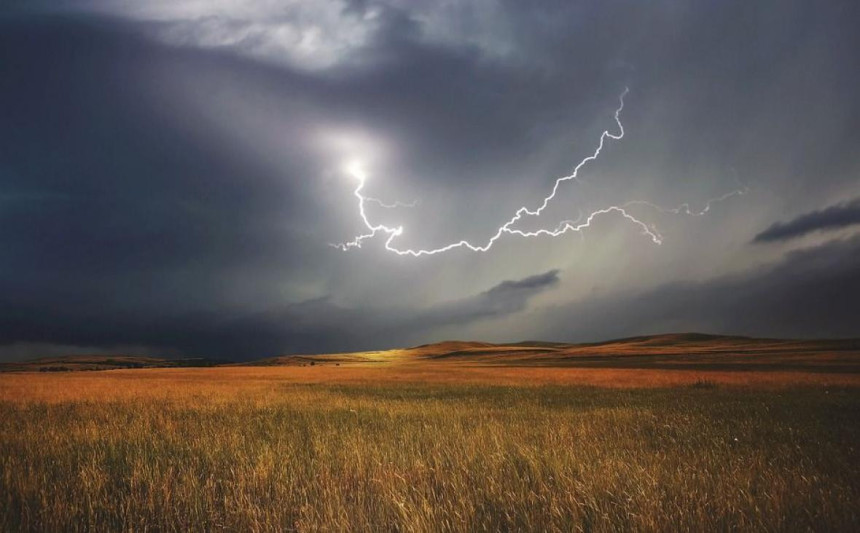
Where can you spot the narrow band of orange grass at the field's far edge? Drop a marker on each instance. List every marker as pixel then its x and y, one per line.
pixel 168 382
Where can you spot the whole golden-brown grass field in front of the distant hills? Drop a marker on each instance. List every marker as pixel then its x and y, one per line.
pixel 422 449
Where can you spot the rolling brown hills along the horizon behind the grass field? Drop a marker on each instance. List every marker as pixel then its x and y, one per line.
pixel 667 351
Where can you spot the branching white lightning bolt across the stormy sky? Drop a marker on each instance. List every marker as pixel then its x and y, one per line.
pixel 567 226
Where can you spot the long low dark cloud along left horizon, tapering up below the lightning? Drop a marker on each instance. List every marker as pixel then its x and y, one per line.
pixel 305 327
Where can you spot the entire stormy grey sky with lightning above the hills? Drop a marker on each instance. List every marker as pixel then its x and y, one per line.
pixel 176 176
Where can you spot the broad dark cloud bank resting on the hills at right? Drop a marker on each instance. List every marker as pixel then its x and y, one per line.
pixel 810 293
